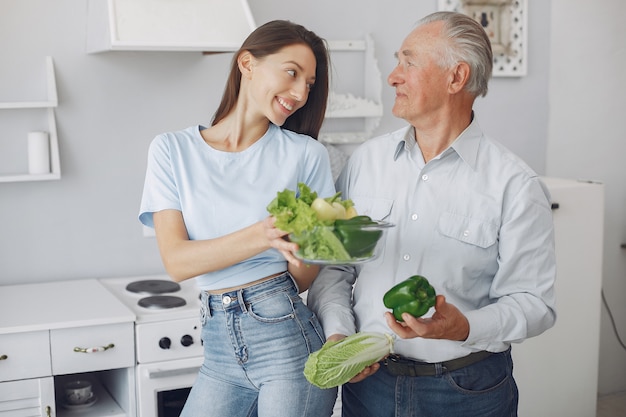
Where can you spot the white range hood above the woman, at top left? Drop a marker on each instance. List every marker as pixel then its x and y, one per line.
pixel 167 25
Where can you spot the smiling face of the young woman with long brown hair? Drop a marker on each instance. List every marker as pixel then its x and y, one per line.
pixel 279 84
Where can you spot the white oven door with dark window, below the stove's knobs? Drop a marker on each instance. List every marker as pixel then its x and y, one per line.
pixel 162 387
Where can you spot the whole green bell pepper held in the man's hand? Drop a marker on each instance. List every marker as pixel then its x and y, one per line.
pixel 414 295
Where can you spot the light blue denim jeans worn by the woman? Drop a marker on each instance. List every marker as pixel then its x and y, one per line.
pixel 256 342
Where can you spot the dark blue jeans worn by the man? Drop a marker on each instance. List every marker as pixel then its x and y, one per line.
pixel 483 389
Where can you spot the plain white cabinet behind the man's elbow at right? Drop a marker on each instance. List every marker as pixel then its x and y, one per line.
pixel 557 372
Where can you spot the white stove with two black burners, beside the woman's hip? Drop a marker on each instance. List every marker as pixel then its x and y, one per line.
pixel 167 339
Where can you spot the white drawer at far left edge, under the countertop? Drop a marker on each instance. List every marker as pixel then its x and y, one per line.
pixel 25 355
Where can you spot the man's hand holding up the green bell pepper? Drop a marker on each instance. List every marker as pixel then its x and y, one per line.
pixel 447 323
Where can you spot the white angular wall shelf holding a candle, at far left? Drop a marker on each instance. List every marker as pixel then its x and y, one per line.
pixel 49 105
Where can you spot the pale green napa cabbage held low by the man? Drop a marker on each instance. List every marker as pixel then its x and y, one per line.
pixel 338 362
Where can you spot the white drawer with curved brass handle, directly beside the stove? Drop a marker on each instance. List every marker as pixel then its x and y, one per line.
pixel 95 348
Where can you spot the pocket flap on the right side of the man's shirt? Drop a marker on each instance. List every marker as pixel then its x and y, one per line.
pixel 477 232
